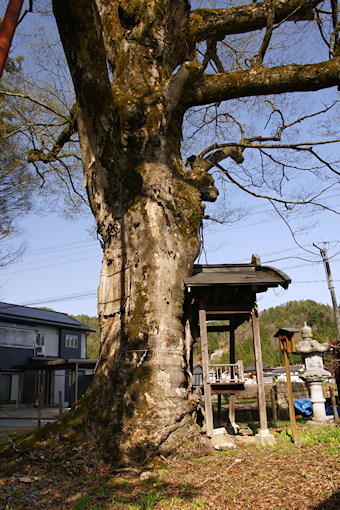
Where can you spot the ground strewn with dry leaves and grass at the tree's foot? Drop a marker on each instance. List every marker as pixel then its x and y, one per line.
pixel 248 477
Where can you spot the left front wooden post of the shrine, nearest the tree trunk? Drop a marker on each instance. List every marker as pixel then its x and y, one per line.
pixel 205 368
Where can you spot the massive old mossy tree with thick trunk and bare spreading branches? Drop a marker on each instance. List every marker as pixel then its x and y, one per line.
pixel 138 67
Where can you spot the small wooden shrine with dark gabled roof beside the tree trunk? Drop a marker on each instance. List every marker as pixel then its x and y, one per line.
pixel 228 291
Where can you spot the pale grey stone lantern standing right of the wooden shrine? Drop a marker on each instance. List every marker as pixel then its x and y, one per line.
pixel 314 374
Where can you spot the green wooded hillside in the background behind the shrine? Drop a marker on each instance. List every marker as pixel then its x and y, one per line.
pixel 290 315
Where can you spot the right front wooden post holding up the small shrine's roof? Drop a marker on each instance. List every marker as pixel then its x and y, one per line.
pixel 259 370
